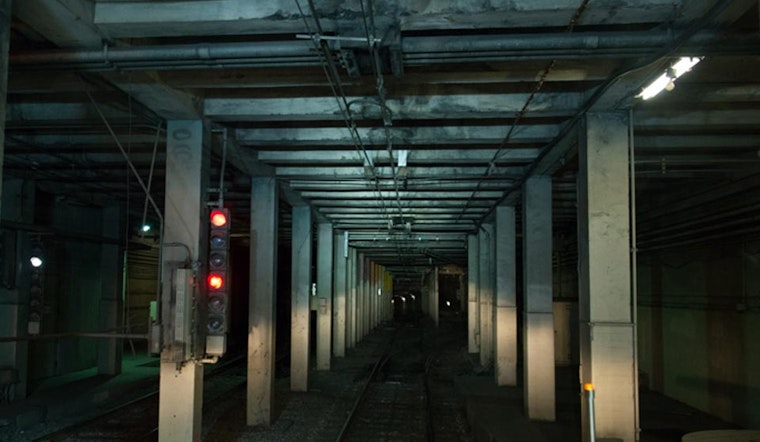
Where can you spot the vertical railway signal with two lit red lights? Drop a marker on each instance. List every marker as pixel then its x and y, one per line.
pixel 217 282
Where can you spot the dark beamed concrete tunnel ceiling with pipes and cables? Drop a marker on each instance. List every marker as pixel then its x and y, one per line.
pixel 474 96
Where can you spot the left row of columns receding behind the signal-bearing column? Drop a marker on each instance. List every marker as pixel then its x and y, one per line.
pixel 352 295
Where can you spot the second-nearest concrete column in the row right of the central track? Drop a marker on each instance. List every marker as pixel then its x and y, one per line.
pixel 538 335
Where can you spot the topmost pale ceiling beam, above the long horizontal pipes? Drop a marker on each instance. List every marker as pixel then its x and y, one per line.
pixel 215 17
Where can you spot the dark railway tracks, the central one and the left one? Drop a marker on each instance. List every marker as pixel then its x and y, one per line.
pixel 399 388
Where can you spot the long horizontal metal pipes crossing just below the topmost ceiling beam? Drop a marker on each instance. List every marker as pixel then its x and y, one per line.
pixel 210 55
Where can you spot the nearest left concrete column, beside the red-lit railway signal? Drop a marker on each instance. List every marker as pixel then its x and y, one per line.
pixel 181 387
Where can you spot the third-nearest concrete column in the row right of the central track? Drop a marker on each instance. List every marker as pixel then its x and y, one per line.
pixel 505 369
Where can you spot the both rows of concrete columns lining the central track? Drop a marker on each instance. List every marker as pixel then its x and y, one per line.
pixel 353 294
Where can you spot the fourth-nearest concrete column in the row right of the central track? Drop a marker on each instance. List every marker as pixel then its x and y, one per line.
pixel 486 282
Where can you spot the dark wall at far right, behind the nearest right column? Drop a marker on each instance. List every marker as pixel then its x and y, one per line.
pixel 699 312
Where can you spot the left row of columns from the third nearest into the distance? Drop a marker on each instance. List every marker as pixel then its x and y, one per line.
pixel 353 295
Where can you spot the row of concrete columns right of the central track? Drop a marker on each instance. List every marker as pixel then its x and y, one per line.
pixel 606 326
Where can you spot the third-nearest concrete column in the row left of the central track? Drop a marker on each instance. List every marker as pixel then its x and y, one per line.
pixel 300 307
